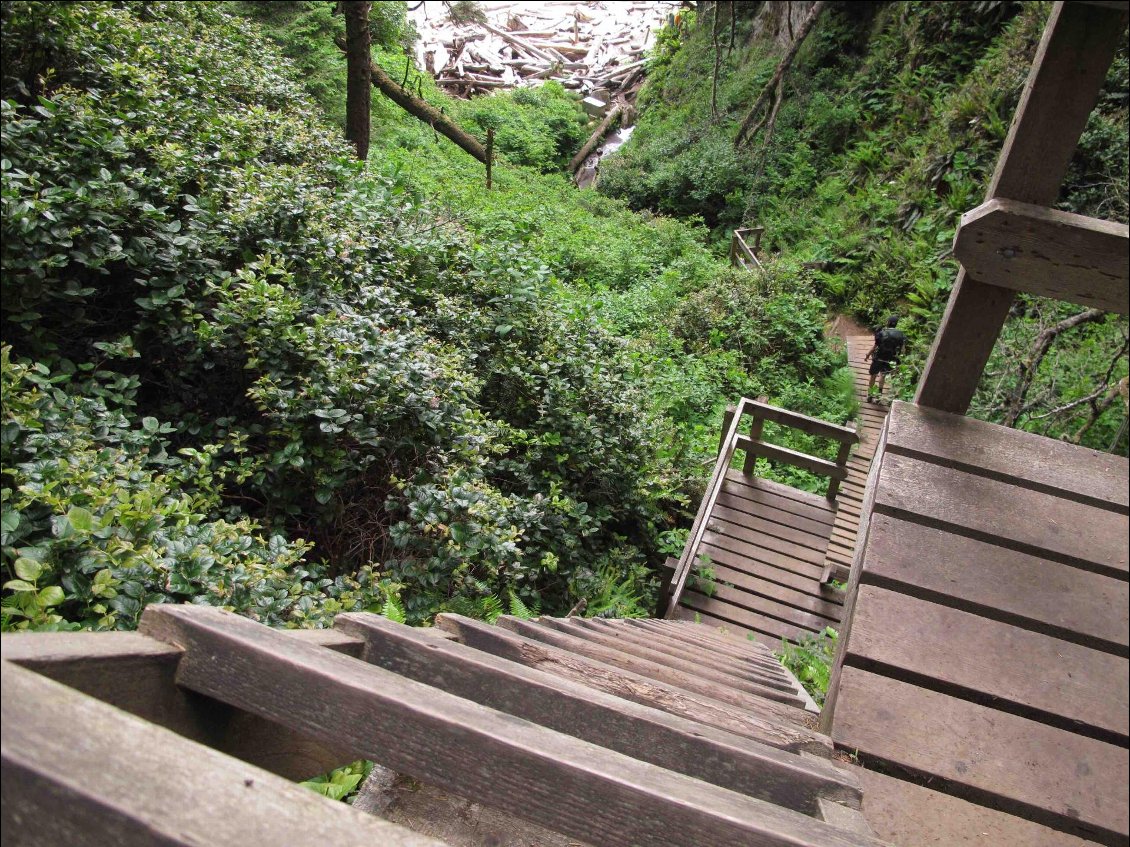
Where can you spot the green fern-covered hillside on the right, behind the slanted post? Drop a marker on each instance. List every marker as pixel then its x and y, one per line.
pixel 889 129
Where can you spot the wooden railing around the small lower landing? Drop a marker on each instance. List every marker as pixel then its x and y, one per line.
pixel 733 441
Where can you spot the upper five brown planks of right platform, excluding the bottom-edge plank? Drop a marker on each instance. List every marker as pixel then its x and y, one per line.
pixel 988 633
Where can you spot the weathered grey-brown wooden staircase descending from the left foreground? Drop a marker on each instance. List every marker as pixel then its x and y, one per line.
pixel 606 732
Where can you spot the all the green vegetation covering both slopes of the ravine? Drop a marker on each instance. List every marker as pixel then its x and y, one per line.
pixel 241 369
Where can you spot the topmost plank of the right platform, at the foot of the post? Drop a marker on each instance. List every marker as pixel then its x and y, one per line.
pixel 1012 456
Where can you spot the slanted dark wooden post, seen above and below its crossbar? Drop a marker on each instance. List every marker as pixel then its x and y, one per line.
pixel 1077 48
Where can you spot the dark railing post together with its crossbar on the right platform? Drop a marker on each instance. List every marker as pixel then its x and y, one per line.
pixel 1014 242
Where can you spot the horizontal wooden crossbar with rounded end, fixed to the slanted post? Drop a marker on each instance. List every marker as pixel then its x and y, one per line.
pixel 1047 252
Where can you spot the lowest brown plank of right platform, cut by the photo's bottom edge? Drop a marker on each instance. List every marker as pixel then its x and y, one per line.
pixel 914 816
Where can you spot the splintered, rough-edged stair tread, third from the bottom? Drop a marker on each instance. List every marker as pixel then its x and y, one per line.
pixel 769 722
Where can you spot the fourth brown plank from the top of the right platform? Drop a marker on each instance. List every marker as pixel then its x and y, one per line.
pixel 1077 689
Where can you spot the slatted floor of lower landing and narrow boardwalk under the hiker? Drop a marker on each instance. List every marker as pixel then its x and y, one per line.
pixel 770 549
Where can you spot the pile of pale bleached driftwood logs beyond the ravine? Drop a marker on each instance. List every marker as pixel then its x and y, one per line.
pixel 596 49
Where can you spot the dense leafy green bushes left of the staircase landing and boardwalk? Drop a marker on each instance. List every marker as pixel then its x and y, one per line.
pixel 241 369
